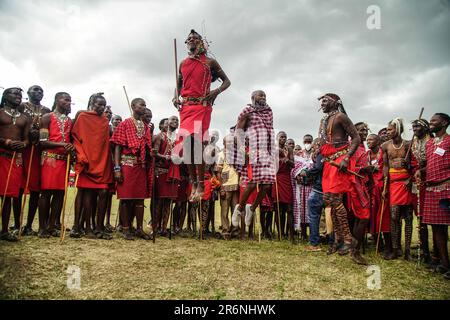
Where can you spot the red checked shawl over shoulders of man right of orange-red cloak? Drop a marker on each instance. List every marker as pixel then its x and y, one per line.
pixel 125 135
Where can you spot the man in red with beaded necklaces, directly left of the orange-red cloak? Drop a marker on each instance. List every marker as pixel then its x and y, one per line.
pixel 55 142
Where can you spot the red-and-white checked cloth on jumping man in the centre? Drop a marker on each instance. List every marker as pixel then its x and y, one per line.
pixel 262 150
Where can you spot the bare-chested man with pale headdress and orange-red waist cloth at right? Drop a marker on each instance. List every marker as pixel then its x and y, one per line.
pixel 397 175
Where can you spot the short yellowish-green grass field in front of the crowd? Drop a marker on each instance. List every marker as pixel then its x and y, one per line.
pixel 186 268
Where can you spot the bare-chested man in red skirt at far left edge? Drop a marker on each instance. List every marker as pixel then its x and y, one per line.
pixel 14 131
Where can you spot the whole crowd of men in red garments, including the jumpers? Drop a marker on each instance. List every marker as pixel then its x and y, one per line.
pixel 356 190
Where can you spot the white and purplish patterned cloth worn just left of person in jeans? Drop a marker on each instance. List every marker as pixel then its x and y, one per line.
pixel 301 191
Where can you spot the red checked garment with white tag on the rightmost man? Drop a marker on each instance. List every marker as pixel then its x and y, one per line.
pixel 438 169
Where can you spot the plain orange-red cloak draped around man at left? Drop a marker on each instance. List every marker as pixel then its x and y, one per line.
pixel 90 134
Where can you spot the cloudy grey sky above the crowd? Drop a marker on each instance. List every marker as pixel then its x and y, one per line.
pixel 293 50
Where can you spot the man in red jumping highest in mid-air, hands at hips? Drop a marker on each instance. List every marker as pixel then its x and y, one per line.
pixel 196 73
